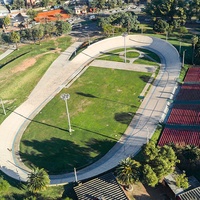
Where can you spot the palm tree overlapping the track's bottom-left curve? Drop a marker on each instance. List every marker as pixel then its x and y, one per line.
pixel 38 180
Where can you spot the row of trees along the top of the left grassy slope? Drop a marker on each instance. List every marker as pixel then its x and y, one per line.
pixel 38 32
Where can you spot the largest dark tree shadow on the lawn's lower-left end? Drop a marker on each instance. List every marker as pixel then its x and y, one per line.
pixel 55 155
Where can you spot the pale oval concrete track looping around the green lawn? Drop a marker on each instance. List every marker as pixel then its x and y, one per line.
pixel 62 71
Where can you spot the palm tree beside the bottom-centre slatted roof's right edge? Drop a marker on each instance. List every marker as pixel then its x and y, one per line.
pixel 128 172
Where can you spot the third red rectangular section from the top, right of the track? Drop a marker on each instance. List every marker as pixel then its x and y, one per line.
pixel 187 114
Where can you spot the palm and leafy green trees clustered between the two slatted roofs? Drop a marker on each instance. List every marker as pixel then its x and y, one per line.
pixel 157 163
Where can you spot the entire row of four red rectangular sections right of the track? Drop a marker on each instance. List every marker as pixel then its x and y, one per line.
pixel 185 114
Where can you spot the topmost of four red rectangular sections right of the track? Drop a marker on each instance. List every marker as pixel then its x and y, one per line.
pixel 193 75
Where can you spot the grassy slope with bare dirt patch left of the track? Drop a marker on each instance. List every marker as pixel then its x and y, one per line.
pixel 21 70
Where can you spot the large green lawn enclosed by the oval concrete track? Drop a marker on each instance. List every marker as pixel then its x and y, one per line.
pixel 101 107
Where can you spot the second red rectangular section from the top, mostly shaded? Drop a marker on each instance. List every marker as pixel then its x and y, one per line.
pixel 189 92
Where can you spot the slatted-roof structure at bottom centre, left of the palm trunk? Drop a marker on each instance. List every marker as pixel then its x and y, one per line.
pixel 102 187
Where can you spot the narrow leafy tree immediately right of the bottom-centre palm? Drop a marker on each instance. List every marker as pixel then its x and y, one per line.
pixel 149 176
